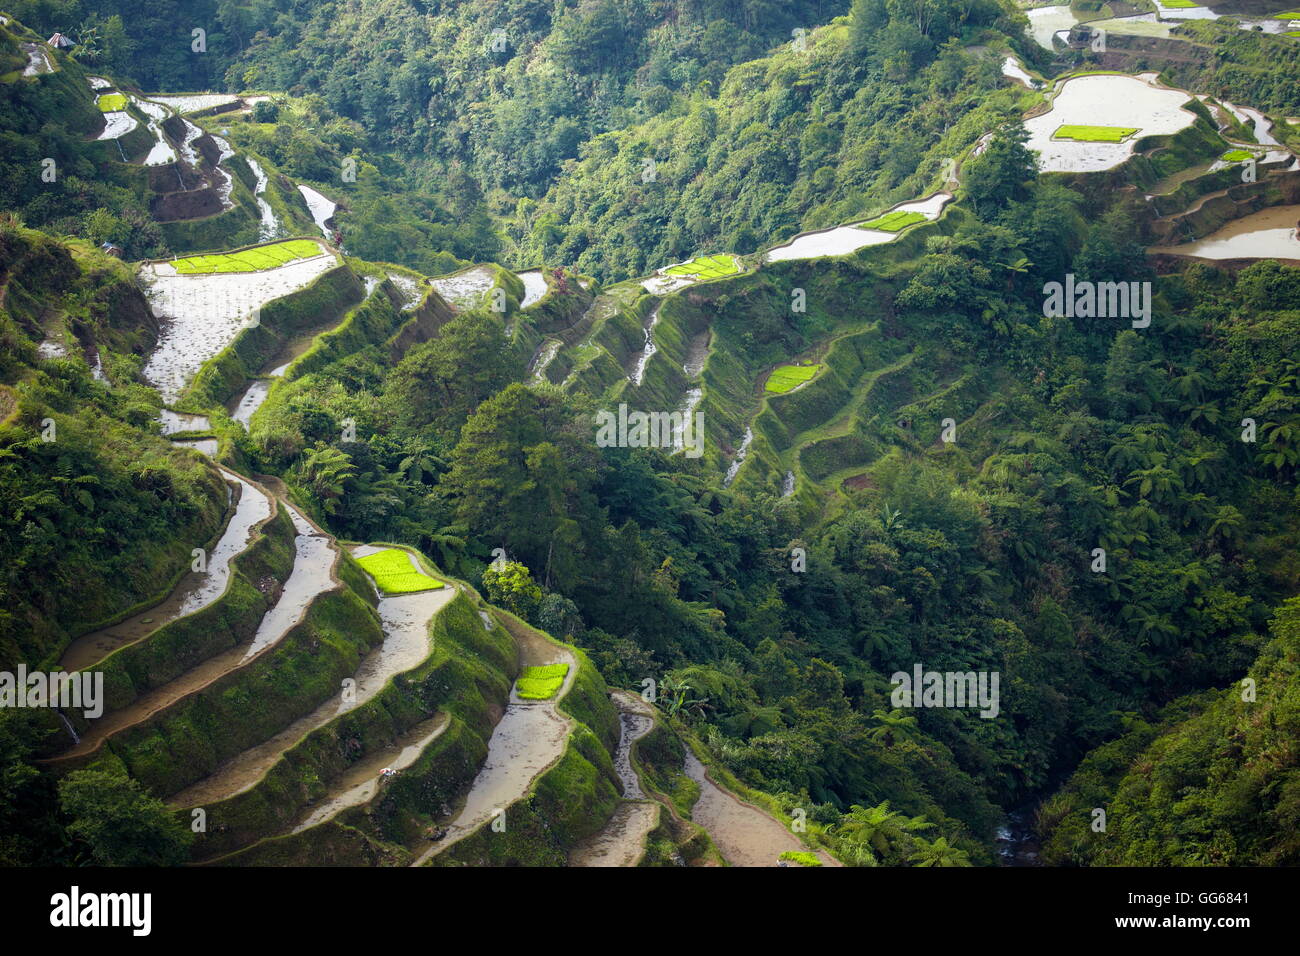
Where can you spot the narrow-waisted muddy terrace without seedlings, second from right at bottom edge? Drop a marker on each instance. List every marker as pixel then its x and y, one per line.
pixel 623 840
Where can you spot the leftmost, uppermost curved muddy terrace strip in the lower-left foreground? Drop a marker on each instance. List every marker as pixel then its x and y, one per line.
pixel 196 591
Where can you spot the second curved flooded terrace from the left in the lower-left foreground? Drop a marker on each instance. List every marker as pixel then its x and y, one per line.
pixel 314 563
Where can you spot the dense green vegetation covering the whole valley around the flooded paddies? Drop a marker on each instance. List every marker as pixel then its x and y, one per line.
pixel 606 140
